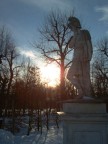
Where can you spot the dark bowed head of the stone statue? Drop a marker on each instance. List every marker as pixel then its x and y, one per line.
pixel 73 21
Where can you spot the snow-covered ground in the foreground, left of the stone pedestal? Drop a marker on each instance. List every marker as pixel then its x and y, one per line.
pixel 53 136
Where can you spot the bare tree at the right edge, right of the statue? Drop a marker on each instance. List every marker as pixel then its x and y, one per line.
pixel 101 68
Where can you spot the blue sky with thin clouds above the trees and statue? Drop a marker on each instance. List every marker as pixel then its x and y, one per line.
pixel 23 17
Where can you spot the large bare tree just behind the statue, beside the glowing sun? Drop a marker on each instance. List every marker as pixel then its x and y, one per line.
pixel 55 37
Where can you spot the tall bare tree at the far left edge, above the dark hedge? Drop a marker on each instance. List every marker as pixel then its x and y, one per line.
pixel 8 55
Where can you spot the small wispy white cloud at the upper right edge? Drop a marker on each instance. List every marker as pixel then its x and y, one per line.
pixel 104 11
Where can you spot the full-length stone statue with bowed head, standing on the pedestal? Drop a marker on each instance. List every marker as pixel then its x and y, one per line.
pixel 79 72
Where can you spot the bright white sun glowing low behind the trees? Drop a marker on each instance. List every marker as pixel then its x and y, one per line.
pixel 50 74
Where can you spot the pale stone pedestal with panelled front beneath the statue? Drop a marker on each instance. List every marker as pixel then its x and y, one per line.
pixel 85 122
